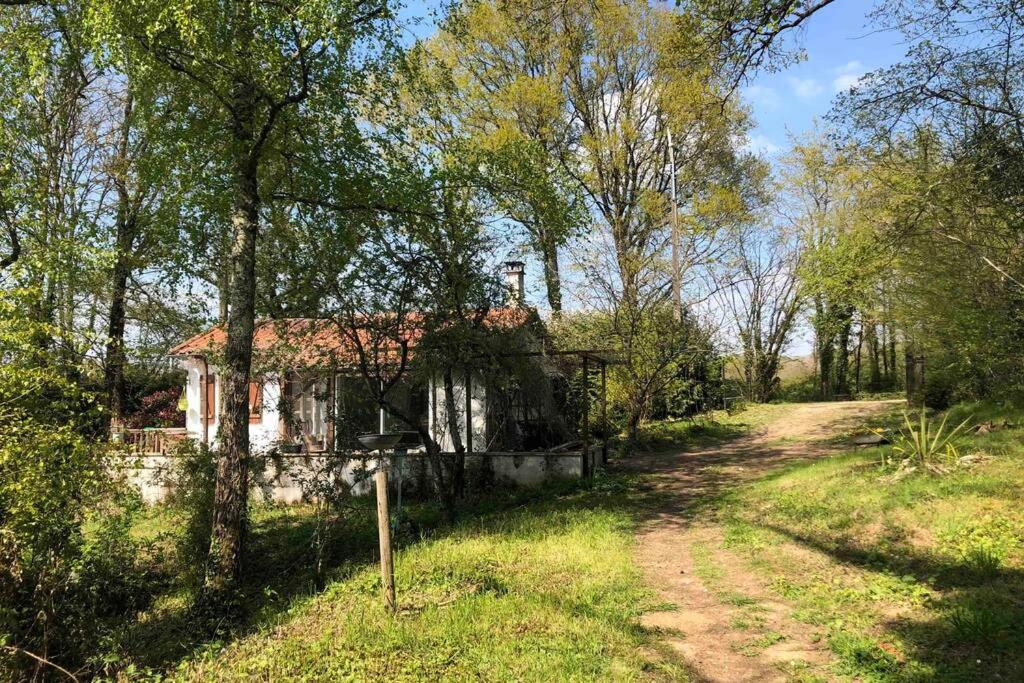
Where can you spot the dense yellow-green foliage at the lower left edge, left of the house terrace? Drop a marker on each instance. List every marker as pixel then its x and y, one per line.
pixel 67 562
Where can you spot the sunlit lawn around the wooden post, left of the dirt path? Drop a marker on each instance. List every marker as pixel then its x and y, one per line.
pixel 531 586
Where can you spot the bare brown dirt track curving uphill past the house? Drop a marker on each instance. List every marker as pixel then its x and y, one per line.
pixel 681 540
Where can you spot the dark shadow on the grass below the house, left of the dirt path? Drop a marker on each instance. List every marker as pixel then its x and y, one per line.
pixel 282 563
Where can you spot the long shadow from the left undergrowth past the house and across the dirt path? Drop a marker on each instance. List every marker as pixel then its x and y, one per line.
pixel 283 567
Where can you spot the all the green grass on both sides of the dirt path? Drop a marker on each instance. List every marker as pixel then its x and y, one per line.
pixel 918 579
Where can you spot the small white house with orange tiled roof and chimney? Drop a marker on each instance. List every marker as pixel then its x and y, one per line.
pixel 308 398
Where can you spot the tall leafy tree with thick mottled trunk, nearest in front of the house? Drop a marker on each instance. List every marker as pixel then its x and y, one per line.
pixel 257 75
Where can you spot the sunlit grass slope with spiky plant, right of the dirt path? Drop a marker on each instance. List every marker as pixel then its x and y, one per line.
pixel 919 579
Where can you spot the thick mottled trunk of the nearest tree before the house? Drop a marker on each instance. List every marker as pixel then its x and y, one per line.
pixel 231 498
